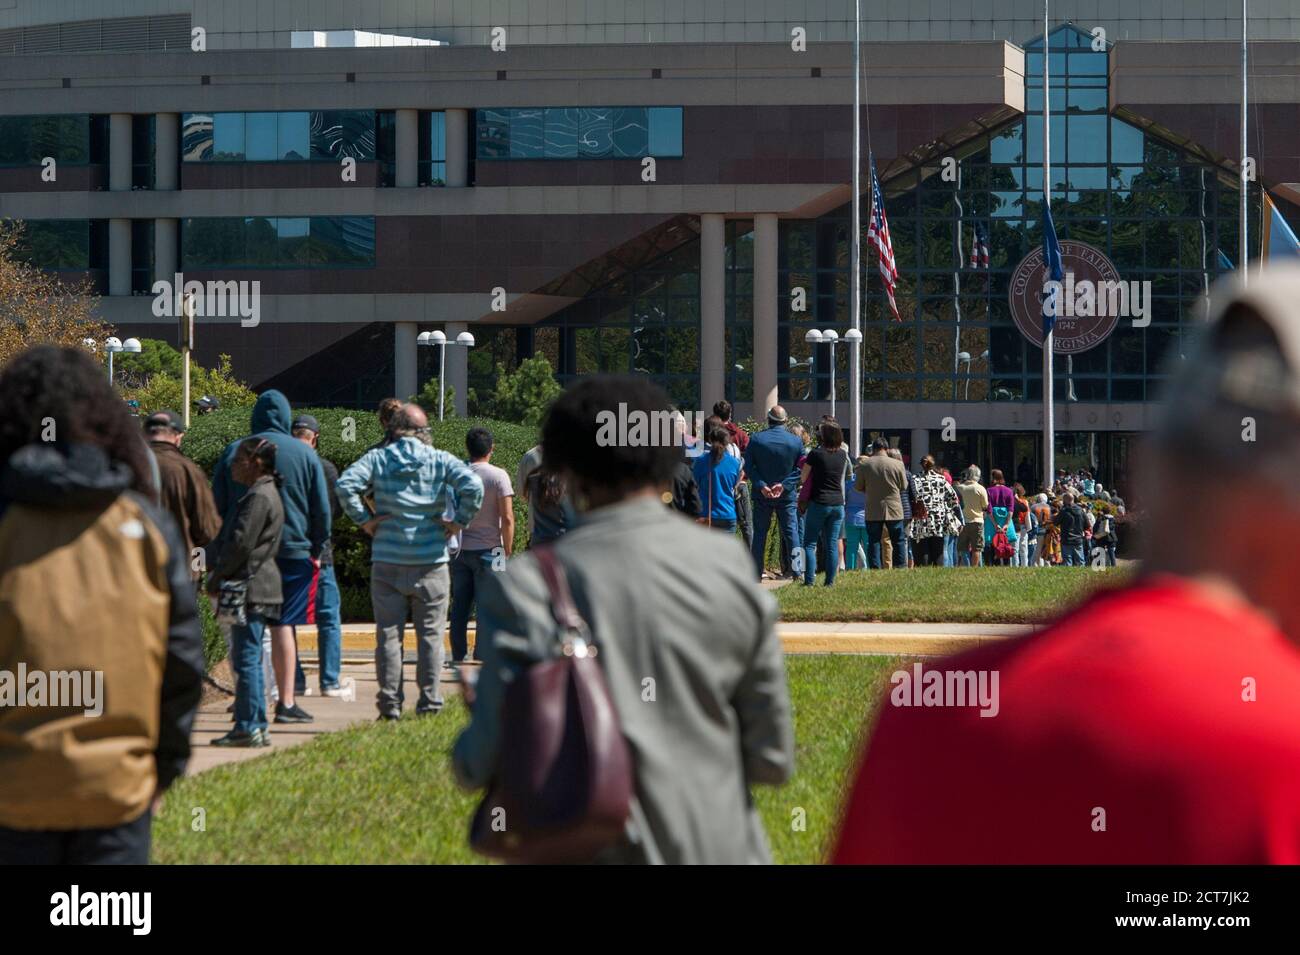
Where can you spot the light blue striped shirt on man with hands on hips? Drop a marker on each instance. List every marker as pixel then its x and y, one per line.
pixel 414 485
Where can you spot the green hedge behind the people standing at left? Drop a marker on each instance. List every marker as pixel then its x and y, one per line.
pixel 210 435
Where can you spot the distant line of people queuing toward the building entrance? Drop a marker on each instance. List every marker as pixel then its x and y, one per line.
pixel 835 514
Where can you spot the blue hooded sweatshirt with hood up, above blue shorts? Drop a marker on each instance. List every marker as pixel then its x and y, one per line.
pixel 305 493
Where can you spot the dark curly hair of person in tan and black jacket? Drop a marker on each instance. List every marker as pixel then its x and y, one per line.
pixel 71 388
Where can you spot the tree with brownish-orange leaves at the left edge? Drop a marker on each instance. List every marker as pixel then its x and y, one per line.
pixel 40 309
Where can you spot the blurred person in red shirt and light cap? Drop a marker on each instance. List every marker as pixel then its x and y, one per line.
pixel 1160 722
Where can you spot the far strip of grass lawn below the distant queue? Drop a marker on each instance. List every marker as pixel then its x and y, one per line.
pixel 939 594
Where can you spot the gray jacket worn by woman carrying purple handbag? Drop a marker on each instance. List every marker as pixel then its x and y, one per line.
pixel 688 645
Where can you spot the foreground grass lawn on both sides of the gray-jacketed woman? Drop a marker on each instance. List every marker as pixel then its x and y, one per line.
pixel 383 793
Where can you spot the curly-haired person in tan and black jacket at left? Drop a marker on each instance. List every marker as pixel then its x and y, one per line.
pixel 101 650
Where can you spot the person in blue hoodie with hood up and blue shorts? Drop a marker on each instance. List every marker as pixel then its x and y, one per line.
pixel 307 527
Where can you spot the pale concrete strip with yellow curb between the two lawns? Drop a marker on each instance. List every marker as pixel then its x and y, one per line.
pixel 924 640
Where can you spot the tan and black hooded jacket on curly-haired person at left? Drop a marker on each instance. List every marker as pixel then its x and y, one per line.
pixel 76 541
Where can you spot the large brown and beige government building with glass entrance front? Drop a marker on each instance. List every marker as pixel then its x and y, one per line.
pixel 656 186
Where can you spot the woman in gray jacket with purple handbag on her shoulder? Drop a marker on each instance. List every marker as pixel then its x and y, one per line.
pixel 634 688
